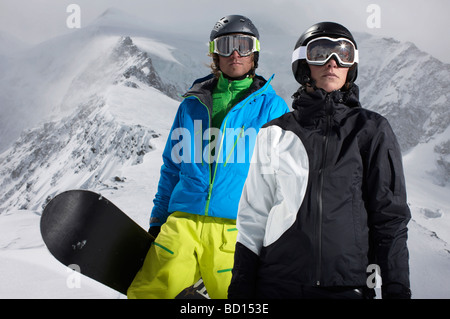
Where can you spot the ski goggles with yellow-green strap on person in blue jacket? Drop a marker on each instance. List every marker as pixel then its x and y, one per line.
pixel 227 44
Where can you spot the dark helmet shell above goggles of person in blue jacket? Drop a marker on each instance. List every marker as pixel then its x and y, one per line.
pixel 234 24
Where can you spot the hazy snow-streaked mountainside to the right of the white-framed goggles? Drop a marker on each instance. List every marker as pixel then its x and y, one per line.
pixel 408 86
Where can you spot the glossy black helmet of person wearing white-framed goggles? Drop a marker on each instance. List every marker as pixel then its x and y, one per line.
pixel 301 69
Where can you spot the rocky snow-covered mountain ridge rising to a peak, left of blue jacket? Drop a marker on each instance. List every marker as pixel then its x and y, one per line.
pixel 85 148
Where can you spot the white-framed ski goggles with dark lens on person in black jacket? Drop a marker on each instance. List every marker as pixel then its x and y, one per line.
pixel 319 51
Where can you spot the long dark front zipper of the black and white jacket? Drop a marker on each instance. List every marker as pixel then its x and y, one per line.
pixel 326 138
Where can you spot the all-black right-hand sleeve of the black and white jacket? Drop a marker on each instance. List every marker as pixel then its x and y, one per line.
pixel 389 213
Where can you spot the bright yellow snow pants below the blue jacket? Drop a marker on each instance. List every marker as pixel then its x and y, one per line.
pixel 188 247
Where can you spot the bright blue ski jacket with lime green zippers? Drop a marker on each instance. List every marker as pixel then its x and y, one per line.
pixel 204 169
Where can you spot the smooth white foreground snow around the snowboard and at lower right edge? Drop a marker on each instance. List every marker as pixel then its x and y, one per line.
pixel 29 271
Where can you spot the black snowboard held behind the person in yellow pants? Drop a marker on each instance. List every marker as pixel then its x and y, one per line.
pixel 88 233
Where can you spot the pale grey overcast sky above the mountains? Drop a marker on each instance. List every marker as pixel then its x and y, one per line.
pixel 424 22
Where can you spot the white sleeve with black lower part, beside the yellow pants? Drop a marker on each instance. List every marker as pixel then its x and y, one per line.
pixel 256 202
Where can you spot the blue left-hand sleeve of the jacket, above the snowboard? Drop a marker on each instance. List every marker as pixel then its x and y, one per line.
pixel 169 177
